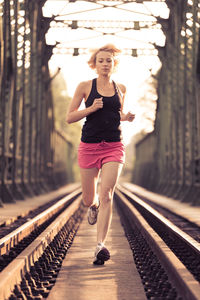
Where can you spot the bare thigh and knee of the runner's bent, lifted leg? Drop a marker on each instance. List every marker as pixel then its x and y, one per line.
pixel 89 179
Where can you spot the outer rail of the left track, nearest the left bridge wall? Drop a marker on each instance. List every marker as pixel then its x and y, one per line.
pixel 12 239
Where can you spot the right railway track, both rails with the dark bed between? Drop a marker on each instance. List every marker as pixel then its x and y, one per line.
pixel 176 251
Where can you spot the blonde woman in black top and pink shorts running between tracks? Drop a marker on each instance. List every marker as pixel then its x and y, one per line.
pixel 101 147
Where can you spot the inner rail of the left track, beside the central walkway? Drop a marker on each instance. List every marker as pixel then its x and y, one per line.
pixel 14 272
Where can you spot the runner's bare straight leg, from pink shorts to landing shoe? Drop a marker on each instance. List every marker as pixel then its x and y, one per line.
pixel 109 175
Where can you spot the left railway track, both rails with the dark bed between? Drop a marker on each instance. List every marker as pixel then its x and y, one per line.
pixel 32 254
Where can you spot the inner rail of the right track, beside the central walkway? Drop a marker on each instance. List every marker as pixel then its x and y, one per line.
pixel 182 279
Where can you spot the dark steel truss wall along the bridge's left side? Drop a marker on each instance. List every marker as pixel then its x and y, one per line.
pixel 26 110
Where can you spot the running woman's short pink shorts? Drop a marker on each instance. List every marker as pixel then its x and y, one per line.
pixel 94 155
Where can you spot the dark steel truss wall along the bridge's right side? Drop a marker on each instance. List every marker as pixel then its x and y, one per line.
pixel 173 165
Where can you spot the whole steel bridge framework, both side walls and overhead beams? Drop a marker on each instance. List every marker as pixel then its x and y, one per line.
pixel 34 156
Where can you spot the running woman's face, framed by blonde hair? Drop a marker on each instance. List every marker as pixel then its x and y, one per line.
pixel 104 63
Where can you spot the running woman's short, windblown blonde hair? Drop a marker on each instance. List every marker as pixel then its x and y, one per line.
pixel 109 48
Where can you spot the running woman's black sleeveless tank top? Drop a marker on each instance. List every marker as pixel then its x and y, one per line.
pixel 103 124
